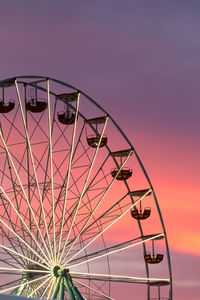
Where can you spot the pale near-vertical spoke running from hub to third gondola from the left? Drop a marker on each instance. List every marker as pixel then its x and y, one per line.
pixel 68 174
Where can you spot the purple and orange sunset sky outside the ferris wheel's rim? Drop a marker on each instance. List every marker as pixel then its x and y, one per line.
pixel 140 60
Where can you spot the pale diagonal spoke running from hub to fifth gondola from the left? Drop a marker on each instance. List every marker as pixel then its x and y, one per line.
pixel 99 202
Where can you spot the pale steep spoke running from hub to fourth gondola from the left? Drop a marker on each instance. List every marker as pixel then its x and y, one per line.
pixel 84 188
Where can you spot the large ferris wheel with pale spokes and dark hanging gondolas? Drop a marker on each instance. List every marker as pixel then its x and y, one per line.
pixel 79 218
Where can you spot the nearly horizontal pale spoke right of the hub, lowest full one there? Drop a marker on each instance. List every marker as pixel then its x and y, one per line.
pixel 116 278
